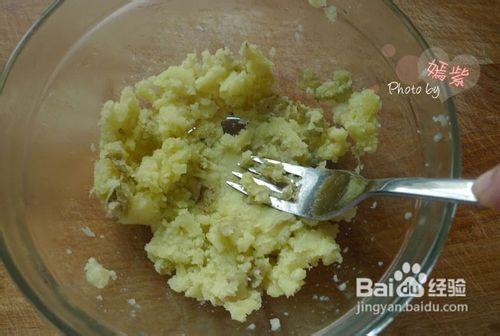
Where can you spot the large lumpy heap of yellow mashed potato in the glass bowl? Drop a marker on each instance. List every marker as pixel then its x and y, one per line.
pixel 164 160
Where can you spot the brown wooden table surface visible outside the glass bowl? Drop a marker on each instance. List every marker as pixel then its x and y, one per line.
pixel 472 250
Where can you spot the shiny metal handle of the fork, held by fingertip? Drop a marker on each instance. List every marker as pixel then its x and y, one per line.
pixel 450 190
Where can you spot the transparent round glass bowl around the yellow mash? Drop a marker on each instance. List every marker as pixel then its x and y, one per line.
pixel 79 54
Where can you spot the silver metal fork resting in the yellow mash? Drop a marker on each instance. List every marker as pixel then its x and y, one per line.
pixel 323 194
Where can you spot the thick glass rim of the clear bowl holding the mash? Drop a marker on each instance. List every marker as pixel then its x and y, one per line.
pixel 378 323
